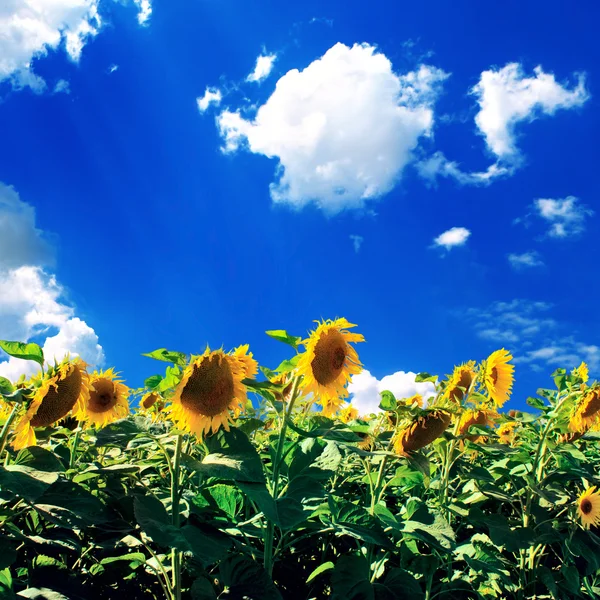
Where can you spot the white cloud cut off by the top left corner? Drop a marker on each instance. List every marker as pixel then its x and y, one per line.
pixel 31 28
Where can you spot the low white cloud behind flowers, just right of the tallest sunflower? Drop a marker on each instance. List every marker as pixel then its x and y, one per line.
pixel 365 389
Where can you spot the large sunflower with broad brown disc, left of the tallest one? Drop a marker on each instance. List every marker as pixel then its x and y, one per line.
pixel 211 386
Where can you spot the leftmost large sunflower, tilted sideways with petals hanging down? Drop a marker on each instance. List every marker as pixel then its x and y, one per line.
pixel 63 389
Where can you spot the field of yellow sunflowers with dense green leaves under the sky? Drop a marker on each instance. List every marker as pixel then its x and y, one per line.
pixel 223 479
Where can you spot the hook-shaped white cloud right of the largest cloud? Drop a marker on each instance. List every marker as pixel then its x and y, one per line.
pixel 507 97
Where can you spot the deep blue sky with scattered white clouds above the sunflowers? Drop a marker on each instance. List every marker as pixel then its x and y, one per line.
pixel 134 220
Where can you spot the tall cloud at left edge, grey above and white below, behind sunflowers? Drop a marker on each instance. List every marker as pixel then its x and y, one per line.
pixel 32 302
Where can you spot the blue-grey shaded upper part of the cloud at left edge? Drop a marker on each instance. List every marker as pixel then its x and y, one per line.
pixel 20 241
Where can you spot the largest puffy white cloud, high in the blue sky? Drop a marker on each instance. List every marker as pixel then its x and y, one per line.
pixel 343 129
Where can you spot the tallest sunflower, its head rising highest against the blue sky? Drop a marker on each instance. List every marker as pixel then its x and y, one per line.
pixel 328 362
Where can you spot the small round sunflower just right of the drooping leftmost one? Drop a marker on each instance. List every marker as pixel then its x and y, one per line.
pixel 108 400
